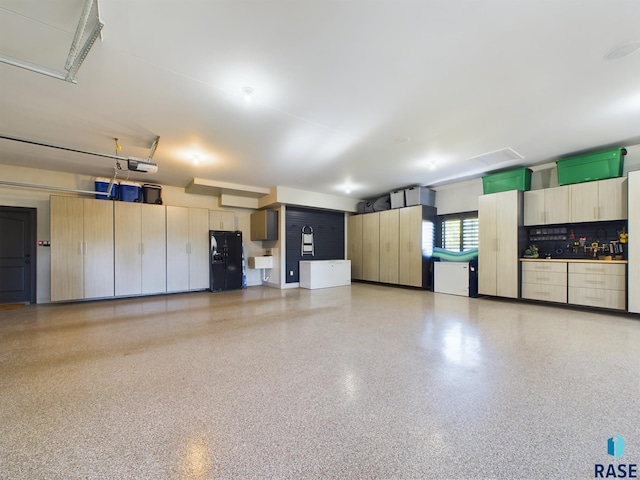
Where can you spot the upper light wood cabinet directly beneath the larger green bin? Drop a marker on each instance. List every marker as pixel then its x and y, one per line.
pixel 599 201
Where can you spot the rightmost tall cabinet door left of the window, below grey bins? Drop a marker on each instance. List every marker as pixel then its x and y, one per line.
pixel 410 246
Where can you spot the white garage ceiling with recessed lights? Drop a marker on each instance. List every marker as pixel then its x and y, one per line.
pixel 336 84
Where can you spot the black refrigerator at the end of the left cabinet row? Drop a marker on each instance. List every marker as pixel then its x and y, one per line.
pixel 225 258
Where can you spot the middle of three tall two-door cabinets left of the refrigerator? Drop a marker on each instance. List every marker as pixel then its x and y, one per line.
pixel 140 248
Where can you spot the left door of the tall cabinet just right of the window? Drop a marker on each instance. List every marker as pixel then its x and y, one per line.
pixel 487 244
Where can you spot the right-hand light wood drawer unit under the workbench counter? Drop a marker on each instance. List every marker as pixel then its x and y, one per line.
pixel 597 285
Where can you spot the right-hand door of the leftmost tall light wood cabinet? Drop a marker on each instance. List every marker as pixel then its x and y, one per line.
pixel 98 258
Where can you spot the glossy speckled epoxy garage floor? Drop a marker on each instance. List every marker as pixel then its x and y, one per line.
pixel 353 382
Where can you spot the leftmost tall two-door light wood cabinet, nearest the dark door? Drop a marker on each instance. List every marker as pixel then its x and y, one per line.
pixel 82 256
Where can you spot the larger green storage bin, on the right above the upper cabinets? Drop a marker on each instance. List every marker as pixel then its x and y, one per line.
pixel 591 166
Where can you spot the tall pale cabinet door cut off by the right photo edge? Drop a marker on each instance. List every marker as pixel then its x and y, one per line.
pixel 633 247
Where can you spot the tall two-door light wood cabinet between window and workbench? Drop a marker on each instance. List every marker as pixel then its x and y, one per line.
pixel 500 218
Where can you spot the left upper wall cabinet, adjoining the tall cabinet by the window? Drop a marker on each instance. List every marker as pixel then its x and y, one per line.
pixel 547 206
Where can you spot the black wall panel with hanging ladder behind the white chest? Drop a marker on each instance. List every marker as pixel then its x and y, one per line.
pixel 328 237
